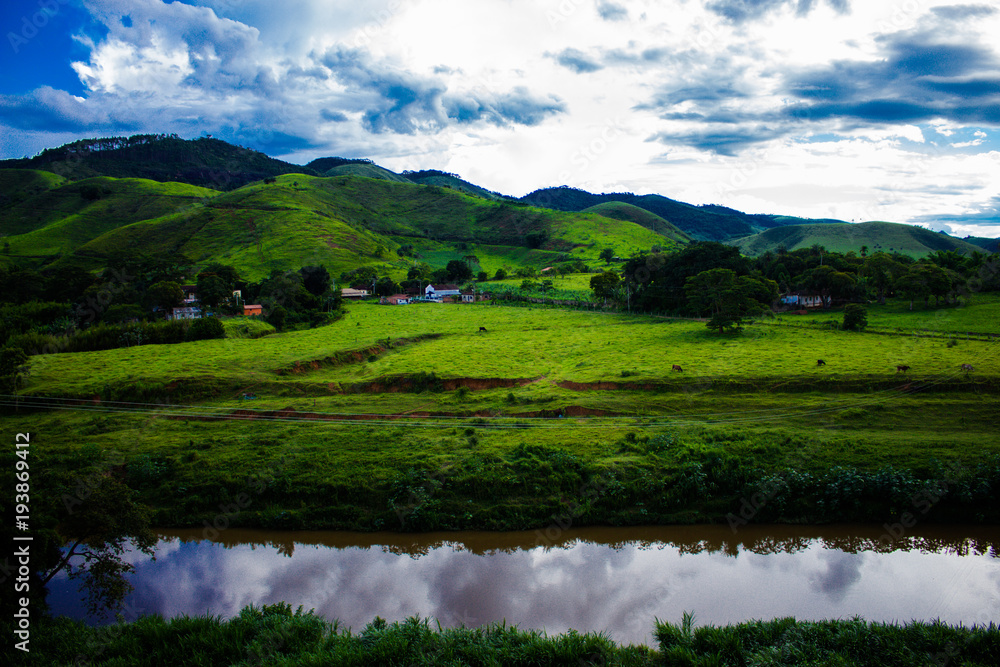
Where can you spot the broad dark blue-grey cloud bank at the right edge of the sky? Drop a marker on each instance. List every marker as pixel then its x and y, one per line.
pixel 920 77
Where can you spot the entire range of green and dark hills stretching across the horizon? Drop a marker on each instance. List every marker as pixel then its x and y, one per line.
pixel 211 200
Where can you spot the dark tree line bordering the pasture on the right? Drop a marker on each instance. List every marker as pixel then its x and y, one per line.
pixel 709 279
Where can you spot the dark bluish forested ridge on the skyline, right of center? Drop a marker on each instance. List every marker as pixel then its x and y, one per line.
pixel 704 223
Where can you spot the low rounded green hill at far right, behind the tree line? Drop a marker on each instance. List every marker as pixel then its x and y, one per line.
pixel 878 236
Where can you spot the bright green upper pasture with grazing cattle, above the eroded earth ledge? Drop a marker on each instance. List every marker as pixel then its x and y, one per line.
pixel 548 345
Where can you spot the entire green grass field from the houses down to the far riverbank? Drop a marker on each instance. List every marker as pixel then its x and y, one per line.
pixel 351 417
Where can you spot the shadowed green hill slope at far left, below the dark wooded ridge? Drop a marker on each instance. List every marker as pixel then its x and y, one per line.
pixel 61 219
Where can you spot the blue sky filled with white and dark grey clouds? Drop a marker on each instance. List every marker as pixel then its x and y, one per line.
pixel 850 109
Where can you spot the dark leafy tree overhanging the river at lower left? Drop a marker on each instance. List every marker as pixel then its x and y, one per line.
pixel 103 523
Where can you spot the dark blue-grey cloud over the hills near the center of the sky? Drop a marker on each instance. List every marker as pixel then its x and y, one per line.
pixel 395 100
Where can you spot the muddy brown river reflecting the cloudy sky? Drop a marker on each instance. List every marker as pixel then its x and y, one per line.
pixel 613 580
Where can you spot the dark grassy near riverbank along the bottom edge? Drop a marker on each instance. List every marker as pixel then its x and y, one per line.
pixel 276 635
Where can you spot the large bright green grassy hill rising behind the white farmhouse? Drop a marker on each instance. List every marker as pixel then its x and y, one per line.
pixel 347 221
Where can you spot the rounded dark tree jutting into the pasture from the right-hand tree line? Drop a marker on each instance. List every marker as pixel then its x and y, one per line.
pixel 730 299
